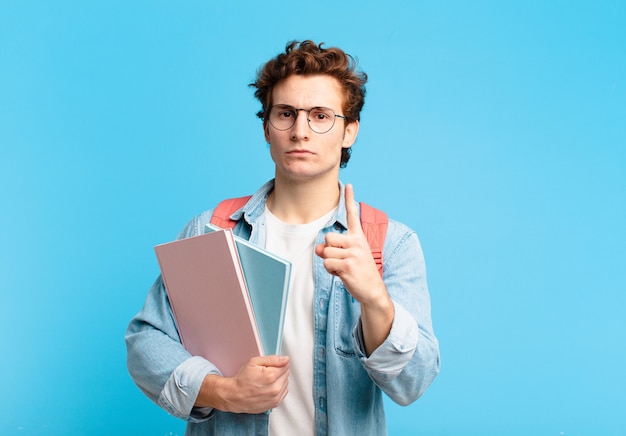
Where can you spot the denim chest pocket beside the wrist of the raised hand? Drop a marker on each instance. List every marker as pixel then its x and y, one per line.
pixel 345 316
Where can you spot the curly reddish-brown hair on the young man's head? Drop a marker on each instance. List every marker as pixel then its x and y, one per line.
pixel 308 58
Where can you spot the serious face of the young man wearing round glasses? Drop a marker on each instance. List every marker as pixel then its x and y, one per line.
pixel 298 152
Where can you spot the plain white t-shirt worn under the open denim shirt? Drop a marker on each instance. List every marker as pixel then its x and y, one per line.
pixel 296 243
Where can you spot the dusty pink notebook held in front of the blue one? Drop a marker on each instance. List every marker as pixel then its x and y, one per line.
pixel 207 291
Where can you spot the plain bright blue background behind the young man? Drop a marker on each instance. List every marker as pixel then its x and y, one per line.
pixel 496 129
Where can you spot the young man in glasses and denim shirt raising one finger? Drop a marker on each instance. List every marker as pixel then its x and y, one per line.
pixel 349 334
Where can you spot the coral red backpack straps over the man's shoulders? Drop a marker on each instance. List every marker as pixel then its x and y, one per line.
pixel 373 221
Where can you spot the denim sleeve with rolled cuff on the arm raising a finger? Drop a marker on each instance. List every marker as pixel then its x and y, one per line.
pixel 407 362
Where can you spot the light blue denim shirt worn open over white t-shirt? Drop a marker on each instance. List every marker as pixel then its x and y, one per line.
pixel 347 384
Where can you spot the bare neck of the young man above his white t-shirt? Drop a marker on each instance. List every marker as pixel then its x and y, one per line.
pixel 301 203
